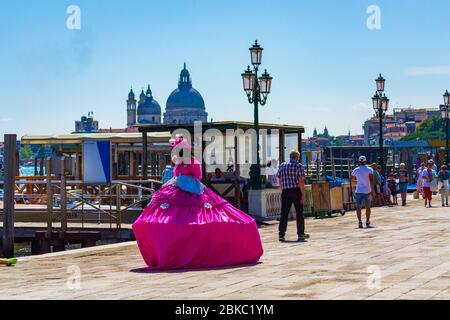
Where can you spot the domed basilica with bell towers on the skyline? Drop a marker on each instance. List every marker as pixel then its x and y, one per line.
pixel 185 105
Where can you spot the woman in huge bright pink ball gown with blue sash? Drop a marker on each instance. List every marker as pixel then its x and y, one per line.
pixel 187 225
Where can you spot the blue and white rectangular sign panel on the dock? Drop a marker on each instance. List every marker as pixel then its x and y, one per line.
pixel 97 162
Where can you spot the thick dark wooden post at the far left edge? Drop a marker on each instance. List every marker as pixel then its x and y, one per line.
pixel 8 198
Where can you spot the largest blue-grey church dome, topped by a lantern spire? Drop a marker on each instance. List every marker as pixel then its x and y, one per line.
pixel 185 97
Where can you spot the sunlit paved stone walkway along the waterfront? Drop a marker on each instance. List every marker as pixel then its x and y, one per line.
pixel 407 256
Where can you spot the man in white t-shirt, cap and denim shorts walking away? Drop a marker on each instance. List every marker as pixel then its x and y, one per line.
pixel 364 177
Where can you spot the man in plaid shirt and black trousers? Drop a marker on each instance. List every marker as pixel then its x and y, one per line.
pixel 292 181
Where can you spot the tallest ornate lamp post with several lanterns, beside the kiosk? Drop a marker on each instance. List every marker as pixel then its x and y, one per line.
pixel 257 90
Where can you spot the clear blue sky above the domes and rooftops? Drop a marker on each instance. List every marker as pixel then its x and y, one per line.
pixel 321 54
